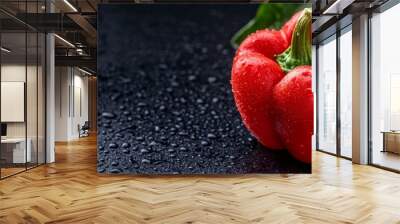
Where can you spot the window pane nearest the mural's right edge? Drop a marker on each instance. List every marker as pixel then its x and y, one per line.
pixel 327 96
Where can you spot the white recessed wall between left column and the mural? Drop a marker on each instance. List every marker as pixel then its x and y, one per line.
pixel 70 83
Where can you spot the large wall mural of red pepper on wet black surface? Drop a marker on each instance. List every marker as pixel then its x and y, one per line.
pixel 194 89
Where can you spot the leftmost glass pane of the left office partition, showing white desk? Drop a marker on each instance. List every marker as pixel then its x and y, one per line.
pixel 13 90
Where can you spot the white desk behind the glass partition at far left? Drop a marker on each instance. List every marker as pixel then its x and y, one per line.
pixel 15 148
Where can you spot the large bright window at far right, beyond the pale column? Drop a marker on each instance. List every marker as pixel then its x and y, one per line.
pixel 385 84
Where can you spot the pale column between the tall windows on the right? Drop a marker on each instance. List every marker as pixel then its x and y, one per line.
pixel 360 90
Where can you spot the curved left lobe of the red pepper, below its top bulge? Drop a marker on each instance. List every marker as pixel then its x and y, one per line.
pixel 253 79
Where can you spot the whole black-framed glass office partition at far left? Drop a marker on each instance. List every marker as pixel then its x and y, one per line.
pixel 22 101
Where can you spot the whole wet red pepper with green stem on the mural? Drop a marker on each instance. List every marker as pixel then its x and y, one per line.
pixel 277 108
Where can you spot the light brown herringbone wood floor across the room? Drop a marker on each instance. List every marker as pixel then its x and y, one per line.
pixel 70 191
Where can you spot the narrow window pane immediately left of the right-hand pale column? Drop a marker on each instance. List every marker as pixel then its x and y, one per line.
pixel 346 93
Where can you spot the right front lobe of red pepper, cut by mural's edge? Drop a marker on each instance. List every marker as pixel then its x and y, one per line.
pixel 293 112
